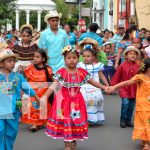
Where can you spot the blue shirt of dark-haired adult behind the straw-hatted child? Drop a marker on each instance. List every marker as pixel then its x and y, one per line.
pixel 93 36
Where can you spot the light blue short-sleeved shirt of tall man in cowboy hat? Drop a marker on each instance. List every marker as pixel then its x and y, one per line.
pixel 54 43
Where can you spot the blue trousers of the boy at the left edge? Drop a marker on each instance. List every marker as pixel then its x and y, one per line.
pixel 8 132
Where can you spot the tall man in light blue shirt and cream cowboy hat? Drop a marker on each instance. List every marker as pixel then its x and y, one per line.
pixel 54 39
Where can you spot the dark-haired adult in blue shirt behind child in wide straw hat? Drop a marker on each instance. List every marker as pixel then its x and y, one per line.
pixel 92 34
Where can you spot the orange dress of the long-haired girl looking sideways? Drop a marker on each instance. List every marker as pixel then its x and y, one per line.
pixel 31 114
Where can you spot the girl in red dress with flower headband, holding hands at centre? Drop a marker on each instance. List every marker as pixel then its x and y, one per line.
pixel 68 116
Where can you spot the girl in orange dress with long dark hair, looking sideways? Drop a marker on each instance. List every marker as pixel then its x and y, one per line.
pixel 38 75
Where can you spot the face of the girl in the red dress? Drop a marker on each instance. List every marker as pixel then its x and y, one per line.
pixel 71 60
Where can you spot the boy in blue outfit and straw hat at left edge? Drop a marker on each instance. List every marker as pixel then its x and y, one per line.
pixel 11 84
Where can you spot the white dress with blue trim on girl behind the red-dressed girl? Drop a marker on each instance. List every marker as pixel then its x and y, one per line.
pixel 93 96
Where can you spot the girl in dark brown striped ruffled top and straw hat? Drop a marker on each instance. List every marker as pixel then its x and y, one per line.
pixel 25 48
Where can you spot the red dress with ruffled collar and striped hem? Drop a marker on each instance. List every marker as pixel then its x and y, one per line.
pixel 68 116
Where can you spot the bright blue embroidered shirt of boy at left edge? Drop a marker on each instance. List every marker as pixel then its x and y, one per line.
pixel 10 92
